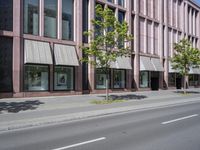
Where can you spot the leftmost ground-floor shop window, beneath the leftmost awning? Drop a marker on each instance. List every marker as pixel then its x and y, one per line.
pixel 36 78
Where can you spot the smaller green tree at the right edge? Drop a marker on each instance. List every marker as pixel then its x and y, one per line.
pixel 185 57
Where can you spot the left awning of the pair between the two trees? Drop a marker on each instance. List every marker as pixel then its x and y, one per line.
pixel 146 64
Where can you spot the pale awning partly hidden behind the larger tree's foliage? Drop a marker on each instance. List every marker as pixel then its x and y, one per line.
pixel 122 63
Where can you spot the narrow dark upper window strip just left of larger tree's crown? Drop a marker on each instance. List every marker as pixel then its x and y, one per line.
pixel 85 19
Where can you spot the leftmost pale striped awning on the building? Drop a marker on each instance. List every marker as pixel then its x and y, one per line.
pixel 37 52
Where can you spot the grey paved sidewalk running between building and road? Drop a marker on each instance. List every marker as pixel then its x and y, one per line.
pixel 27 112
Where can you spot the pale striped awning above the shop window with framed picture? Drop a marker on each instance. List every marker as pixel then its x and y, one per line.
pixel 65 55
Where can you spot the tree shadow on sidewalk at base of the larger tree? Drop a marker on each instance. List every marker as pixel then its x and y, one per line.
pixel 126 97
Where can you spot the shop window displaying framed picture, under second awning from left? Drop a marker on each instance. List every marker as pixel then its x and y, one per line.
pixel 64 78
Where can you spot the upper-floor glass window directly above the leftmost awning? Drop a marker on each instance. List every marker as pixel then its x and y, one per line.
pixel 31 17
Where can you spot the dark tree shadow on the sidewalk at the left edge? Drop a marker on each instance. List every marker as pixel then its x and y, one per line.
pixel 15 107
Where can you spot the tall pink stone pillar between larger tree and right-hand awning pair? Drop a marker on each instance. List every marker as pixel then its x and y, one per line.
pixel 136 46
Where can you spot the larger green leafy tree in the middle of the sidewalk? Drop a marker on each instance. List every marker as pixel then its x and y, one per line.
pixel 107 41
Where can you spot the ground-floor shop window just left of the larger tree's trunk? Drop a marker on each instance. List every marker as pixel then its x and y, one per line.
pixel 100 79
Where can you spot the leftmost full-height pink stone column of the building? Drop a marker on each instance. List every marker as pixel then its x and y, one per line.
pixel 17 48
